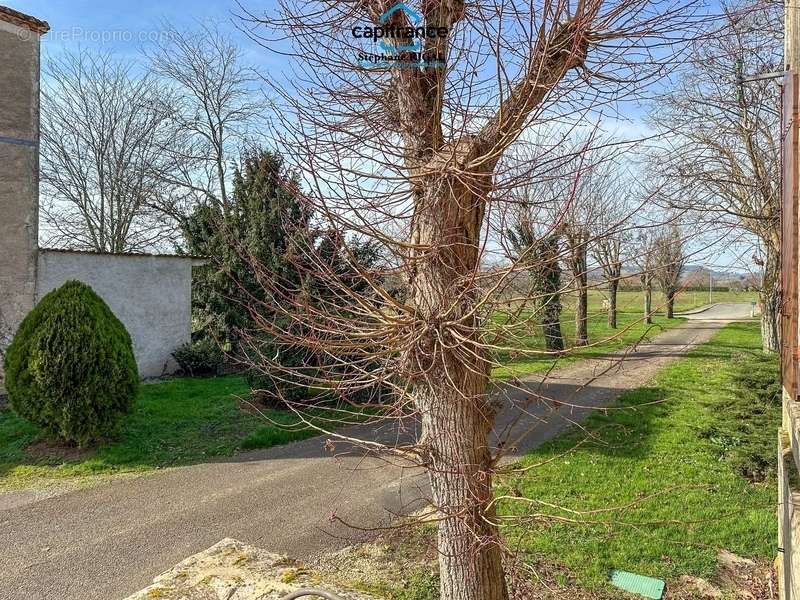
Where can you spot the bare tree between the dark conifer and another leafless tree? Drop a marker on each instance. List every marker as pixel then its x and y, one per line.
pixel 214 110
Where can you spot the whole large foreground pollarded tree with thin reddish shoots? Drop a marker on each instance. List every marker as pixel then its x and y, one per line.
pixel 402 143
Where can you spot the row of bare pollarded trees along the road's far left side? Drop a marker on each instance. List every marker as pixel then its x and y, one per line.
pixel 599 230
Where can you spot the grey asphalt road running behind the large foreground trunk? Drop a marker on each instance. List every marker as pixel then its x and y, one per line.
pixel 108 541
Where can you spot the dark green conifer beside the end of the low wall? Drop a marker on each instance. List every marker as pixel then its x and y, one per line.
pixel 264 224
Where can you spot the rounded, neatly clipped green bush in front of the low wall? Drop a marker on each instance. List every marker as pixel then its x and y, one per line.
pixel 70 368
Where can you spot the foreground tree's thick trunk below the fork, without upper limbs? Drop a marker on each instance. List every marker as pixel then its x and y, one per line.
pixel 449 373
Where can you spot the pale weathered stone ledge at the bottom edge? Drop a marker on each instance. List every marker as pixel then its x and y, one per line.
pixel 232 570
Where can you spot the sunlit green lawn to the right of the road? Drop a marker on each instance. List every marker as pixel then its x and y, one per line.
pixel 674 461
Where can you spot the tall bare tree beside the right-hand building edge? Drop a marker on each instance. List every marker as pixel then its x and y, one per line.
pixel 723 148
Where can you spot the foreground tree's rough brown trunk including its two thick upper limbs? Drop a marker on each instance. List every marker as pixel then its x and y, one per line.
pixel 451 184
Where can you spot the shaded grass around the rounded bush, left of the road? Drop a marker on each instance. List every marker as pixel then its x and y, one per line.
pixel 179 421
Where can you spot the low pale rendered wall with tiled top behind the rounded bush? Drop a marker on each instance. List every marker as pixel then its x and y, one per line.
pixel 151 295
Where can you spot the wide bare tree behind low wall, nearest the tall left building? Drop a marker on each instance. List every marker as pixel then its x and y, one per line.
pixel 101 134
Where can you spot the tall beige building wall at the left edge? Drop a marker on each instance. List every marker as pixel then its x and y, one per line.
pixel 19 180
